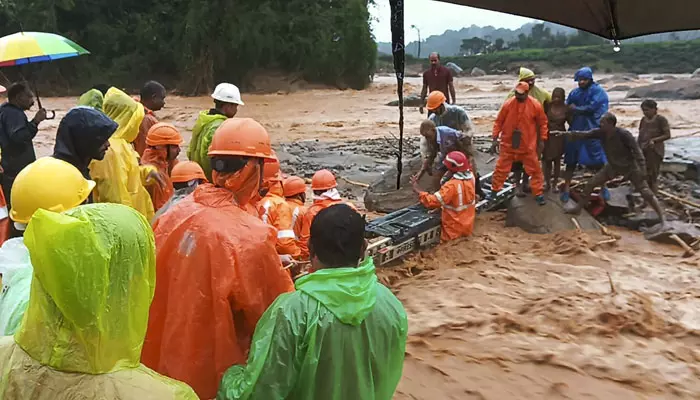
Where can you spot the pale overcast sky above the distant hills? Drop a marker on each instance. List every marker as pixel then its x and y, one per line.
pixel 434 18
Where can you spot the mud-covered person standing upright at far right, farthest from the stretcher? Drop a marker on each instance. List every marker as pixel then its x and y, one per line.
pixel 654 130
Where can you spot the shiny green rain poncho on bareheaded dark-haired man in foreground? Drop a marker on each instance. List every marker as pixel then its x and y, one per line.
pixel 341 335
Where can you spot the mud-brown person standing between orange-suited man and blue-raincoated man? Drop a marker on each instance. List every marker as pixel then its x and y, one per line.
pixel 557 115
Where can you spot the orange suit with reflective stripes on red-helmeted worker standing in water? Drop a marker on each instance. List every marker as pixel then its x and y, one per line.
pixel 457 199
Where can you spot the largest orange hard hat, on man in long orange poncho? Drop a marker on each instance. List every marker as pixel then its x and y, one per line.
pixel 241 137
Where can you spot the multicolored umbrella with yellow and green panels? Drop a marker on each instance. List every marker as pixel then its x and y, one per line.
pixel 32 47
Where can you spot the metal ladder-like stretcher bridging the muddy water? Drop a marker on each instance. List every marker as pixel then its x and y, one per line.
pixel 409 229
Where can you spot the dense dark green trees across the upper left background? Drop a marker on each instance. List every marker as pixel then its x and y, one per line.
pixel 193 44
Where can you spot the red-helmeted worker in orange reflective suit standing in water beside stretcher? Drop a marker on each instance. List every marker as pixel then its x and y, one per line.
pixel 456 198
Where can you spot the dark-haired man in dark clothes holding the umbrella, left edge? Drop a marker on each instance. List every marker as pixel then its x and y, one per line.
pixel 16 135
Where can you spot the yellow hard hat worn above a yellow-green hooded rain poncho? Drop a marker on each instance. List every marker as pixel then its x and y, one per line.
pixel 50 184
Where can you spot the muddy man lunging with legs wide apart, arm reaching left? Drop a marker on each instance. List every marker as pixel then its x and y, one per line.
pixel 624 157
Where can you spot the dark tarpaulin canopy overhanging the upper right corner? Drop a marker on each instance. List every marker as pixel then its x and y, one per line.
pixel 611 19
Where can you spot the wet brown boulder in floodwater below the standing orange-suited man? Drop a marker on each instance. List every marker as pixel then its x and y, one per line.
pixel 527 215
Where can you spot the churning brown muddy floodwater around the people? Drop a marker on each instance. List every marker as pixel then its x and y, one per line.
pixel 504 314
